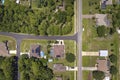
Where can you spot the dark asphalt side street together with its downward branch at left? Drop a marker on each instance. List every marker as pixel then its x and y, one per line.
pixel 20 37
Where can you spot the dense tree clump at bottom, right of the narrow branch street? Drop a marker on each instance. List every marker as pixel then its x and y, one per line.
pixel 34 69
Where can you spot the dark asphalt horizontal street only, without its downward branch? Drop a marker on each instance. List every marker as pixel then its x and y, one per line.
pixel 25 36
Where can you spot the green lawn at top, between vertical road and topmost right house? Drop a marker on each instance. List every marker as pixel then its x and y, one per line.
pixel 87 8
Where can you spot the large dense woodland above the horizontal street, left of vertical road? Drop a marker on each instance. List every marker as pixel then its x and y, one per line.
pixel 20 19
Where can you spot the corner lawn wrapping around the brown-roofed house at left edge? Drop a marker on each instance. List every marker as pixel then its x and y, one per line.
pixel 11 41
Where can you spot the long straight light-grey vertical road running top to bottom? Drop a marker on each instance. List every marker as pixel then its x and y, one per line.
pixel 79 38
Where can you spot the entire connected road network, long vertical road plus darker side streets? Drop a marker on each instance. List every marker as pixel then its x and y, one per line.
pixel 76 37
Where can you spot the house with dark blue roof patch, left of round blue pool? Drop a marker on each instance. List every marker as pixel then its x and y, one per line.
pixel 35 51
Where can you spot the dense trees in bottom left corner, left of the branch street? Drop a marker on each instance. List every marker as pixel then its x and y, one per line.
pixel 8 68
